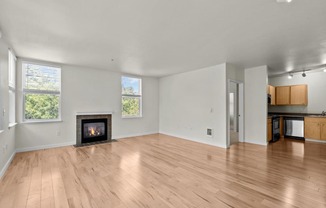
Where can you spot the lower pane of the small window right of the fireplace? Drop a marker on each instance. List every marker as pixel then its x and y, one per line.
pixel 130 106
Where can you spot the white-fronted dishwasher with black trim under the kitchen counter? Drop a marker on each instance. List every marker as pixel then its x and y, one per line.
pixel 294 127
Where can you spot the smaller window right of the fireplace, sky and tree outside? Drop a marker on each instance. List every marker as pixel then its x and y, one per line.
pixel 131 97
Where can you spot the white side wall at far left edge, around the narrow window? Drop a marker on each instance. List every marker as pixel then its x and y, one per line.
pixel 7 137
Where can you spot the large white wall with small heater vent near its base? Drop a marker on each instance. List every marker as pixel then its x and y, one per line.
pixel 193 101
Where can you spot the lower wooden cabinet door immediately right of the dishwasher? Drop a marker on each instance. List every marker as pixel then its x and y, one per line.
pixel 312 128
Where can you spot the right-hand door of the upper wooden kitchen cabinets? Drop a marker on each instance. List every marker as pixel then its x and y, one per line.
pixel 299 95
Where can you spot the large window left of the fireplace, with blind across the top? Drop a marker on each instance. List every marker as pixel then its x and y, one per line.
pixel 41 92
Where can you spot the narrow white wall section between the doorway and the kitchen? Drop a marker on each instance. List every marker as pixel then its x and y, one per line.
pixel 256 105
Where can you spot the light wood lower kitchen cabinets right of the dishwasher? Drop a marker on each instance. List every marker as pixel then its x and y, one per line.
pixel 315 128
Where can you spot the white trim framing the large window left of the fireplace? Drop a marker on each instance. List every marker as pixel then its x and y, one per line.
pixel 30 91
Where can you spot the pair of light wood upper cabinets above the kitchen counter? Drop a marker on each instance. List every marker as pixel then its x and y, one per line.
pixel 292 95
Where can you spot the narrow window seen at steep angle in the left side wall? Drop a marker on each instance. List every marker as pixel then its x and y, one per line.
pixel 12 87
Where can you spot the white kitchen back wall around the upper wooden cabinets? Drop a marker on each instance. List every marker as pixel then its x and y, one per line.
pixel 316 96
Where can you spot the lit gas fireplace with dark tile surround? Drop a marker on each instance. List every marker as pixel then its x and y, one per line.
pixel 92 128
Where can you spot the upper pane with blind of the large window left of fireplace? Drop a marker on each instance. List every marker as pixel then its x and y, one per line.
pixel 39 77
